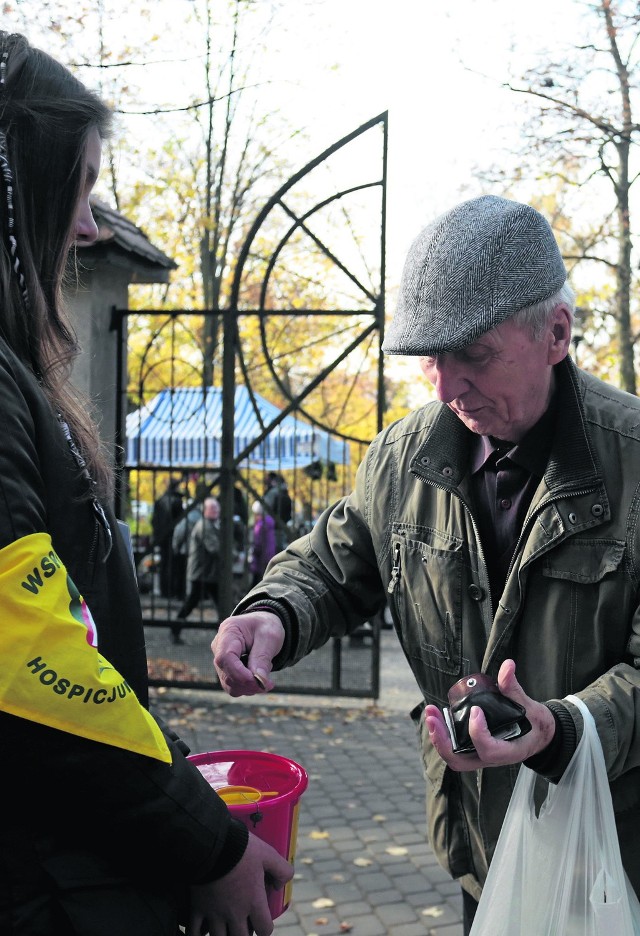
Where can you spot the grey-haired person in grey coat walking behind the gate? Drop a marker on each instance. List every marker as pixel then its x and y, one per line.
pixel 203 564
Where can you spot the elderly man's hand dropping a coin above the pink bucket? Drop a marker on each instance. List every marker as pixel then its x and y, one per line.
pixel 243 652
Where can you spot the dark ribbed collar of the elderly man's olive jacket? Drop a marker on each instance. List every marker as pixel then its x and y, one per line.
pixel 444 456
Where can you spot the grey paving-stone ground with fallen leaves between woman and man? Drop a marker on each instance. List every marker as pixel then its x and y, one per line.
pixel 363 865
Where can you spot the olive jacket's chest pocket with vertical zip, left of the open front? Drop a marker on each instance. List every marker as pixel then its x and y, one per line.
pixel 426 587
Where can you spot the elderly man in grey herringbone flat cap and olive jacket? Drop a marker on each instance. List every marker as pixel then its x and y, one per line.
pixel 502 525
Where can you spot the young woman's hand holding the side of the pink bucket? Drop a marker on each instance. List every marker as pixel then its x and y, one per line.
pixel 236 904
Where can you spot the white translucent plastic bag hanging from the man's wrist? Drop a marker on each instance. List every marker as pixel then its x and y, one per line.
pixel 560 873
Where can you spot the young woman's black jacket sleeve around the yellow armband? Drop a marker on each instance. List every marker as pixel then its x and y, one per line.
pixel 150 817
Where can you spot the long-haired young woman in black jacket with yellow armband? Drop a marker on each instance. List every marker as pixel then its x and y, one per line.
pixel 105 827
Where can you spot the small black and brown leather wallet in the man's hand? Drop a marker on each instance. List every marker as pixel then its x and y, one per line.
pixel 505 719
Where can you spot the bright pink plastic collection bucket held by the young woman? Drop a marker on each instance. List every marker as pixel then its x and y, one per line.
pixel 263 790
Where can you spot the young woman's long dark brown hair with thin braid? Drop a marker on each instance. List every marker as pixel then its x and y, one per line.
pixel 46 116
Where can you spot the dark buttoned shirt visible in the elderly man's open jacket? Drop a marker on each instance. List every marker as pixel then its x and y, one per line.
pixel 504 478
